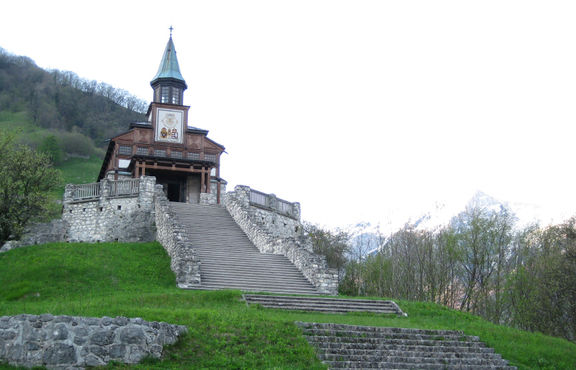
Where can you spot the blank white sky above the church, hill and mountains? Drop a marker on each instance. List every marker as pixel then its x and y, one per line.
pixel 361 110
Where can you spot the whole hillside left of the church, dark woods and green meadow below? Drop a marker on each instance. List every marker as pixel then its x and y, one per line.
pixel 64 115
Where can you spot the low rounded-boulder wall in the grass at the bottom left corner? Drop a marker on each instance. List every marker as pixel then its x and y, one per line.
pixel 63 342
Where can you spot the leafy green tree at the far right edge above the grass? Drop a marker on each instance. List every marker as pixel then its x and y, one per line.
pixel 541 288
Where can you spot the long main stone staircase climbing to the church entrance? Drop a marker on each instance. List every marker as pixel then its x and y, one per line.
pixel 228 258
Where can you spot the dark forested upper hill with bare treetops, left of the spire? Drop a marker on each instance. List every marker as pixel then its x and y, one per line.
pixel 63 102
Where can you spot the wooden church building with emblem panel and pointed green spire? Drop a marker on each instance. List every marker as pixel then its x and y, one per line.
pixel 182 158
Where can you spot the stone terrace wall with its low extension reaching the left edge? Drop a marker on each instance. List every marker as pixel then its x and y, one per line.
pixel 107 211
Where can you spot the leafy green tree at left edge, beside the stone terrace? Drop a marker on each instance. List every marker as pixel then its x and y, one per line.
pixel 26 178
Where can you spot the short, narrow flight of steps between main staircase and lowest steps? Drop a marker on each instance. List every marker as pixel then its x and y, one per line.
pixel 322 304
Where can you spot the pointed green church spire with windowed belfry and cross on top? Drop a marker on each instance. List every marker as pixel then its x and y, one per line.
pixel 168 84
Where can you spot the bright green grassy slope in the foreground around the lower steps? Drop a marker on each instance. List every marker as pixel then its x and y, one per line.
pixel 135 280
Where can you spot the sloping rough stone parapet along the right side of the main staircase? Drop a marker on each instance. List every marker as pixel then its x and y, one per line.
pixel 295 246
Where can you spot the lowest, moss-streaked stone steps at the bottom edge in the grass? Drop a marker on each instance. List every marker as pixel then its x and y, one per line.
pixel 353 347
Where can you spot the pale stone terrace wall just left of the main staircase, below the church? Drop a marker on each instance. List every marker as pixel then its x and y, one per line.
pixel 123 216
